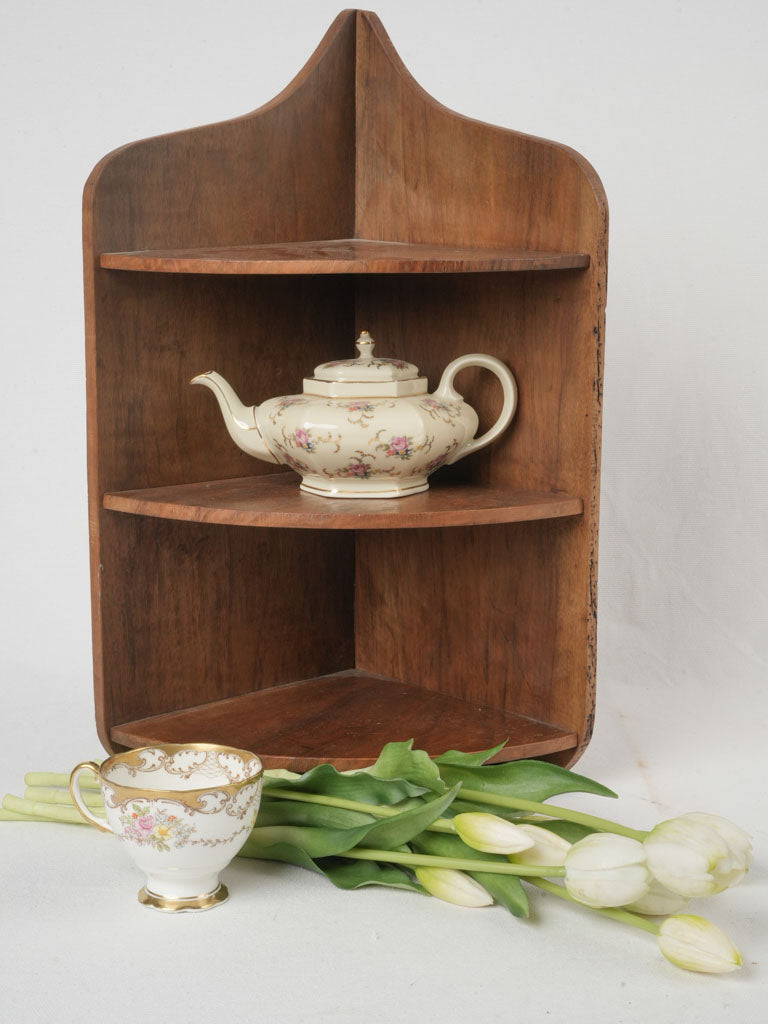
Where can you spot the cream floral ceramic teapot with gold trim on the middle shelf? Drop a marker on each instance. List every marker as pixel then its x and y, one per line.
pixel 365 428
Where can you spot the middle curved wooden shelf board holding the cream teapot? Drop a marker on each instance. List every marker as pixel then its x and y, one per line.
pixel 275 500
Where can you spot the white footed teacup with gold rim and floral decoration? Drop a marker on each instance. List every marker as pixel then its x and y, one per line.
pixel 183 810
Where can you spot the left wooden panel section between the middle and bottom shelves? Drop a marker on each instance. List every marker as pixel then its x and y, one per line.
pixel 194 613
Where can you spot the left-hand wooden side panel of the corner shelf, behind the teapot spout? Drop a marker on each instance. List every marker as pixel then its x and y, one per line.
pixel 286 172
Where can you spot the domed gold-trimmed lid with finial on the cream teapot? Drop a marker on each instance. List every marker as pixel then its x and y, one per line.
pixel 366 375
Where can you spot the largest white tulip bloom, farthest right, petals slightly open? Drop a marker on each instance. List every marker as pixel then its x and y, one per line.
pixel 698 855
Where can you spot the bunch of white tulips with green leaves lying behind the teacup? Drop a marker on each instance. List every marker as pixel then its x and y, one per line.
pixel 470 833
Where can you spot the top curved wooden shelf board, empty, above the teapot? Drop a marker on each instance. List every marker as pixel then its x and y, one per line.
pixel 343 257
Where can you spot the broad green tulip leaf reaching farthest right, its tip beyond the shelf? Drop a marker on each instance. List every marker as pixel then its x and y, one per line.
pixel 536 781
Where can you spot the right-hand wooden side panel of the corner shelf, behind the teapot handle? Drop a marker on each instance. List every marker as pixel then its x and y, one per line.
pixel 505 615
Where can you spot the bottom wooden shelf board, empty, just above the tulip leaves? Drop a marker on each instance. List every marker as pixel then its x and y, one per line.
pixel 347 719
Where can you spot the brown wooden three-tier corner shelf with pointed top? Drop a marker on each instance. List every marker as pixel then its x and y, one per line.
pixel 229 606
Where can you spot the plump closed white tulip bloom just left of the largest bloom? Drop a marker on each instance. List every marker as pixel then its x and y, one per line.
pixel 605 870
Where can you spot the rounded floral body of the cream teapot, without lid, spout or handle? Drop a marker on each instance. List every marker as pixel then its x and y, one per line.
pixel 367 447
